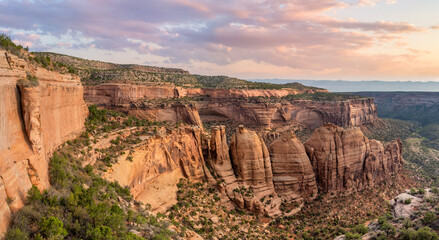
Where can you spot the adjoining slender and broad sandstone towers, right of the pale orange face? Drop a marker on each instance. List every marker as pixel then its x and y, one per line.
pixel 245 170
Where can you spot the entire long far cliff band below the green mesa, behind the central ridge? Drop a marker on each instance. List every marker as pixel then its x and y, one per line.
pixel 231 104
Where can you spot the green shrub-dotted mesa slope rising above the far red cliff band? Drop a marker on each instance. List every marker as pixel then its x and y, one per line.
pixel 96 72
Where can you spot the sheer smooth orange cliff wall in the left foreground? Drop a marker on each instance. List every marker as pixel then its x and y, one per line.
pixel 33 121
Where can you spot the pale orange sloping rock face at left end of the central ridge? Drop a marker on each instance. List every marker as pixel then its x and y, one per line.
pixel 158 164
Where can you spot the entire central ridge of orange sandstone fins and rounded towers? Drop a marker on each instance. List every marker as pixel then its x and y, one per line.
pixel 251 176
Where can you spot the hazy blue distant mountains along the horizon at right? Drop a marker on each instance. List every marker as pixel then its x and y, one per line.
pixel 361 86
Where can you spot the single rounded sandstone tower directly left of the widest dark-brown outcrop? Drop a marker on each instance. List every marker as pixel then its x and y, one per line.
pixel 293 175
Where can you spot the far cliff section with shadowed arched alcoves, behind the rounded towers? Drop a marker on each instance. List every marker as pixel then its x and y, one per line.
pixel 311 113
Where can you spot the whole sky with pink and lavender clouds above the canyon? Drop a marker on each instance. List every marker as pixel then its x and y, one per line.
pixel 296 39
